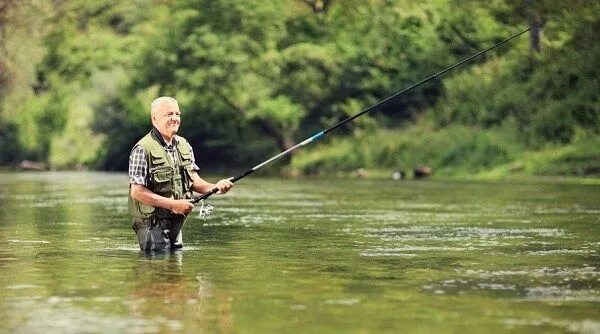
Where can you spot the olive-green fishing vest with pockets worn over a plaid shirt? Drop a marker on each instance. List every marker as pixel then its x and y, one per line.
pixel 165 177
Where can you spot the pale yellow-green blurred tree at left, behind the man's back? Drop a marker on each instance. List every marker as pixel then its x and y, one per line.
pixel 88 45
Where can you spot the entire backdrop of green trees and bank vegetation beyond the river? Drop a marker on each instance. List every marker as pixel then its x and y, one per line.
pixel 255 77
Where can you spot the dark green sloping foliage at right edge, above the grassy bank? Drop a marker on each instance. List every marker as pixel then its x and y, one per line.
pixel 553 94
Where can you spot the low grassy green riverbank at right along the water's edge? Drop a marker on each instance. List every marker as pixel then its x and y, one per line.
pixel 453 152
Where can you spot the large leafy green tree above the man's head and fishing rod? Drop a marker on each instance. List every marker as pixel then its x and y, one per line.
pixel 287 67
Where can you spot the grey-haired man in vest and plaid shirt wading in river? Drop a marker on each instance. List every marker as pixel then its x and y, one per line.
pixel 163 174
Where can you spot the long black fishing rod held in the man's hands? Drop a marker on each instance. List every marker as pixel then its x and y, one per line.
pixel 379 104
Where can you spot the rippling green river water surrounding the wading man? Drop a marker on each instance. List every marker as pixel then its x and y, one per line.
pixel 304 256
